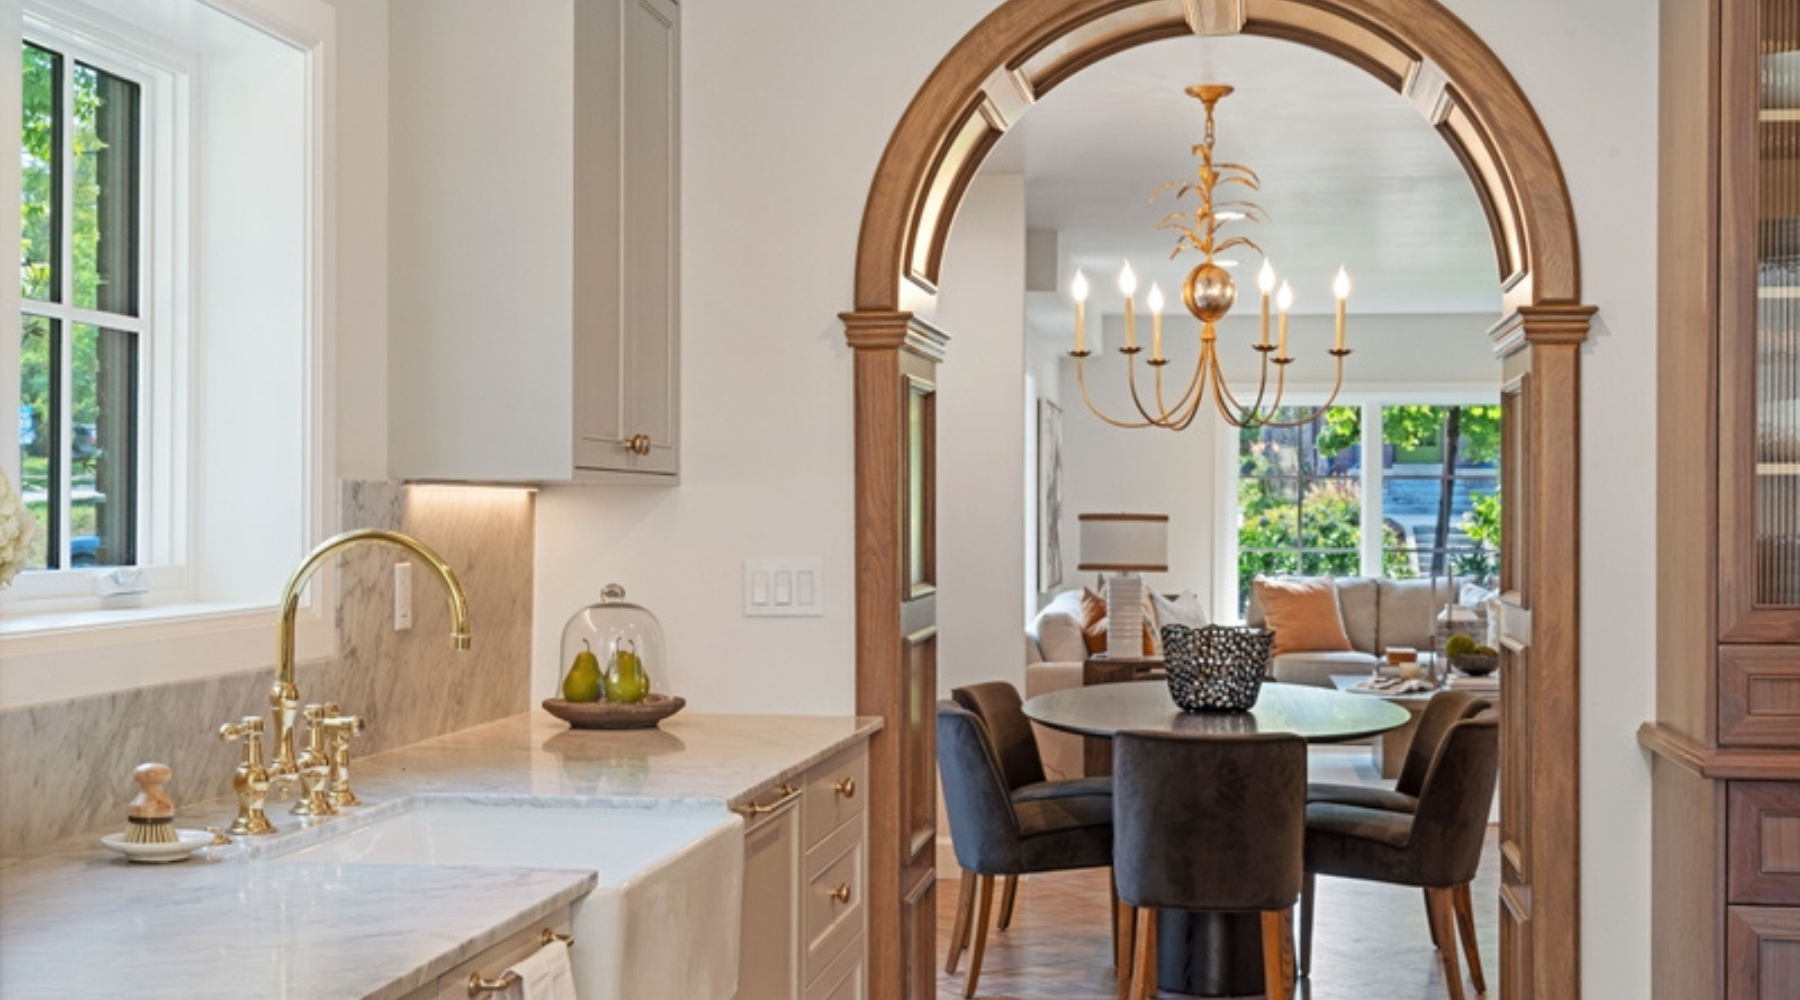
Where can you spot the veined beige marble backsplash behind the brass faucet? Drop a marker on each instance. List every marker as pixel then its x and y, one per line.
pixel 69 763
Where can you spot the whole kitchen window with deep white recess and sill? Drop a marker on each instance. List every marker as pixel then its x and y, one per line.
pixel 168 377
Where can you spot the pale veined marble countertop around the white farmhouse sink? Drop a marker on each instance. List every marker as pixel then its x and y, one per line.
pixel 78 920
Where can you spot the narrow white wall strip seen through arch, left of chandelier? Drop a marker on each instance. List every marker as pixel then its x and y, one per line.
pixel 982 449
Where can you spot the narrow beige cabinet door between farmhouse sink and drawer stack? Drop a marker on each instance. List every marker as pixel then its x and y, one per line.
pixel 769 945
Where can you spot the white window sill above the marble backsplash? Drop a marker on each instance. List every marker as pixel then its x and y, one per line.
pixel 57 657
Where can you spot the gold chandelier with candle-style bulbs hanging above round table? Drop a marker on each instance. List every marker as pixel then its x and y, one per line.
pixel 1209 292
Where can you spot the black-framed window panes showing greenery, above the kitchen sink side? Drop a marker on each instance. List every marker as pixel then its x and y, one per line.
pixel 84 317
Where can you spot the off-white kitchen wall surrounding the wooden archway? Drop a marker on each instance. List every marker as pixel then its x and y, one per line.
pixel 780 143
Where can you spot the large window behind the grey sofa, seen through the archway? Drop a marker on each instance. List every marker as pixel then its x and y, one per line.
pixel 1381 488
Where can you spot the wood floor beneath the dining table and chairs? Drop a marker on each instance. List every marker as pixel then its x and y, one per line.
pixel 1371 942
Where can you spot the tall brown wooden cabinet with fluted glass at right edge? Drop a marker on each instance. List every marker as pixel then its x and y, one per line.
pixel 1725 742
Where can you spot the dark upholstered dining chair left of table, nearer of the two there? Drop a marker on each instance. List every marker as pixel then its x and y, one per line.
pixel 998 835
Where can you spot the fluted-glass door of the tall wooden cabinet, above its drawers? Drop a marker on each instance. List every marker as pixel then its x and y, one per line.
pixel 1759 344
